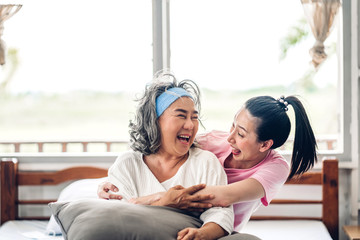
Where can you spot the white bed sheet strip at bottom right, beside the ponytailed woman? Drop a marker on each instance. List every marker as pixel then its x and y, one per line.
pixel 287 229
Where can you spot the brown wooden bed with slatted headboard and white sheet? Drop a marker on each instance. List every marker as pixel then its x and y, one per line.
pixel 16 226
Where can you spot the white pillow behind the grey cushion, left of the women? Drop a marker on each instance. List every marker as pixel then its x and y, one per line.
pixel 85 188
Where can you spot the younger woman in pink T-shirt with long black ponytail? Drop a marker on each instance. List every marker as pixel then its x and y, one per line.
pixel 255 171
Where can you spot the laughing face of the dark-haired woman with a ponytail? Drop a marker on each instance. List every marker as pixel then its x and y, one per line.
pixel 247 151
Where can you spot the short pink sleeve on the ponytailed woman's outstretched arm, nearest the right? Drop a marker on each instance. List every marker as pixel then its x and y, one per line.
pixel 272 177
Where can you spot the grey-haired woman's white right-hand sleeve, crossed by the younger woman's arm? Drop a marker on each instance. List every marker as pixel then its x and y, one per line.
pixel 223 216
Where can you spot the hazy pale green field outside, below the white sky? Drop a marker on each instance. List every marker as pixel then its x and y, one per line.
pixel 90 115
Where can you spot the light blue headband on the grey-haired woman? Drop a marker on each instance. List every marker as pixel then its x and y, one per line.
pixel 168 97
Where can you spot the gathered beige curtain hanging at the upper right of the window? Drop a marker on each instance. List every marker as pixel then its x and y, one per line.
pixel 320 15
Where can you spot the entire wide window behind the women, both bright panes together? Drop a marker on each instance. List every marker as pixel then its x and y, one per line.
pixel 81 62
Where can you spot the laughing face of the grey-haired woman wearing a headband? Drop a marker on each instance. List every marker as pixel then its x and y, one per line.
pixel 178 125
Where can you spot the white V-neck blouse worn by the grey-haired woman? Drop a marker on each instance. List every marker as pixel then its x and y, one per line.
pixel 134 179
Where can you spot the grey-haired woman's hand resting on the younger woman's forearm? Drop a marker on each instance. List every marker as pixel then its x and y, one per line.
pixel 185 198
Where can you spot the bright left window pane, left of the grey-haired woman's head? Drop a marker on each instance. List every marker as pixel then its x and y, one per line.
pixel 79 63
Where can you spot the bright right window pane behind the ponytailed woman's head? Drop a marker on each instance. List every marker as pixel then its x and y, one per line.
pixel 233 50
